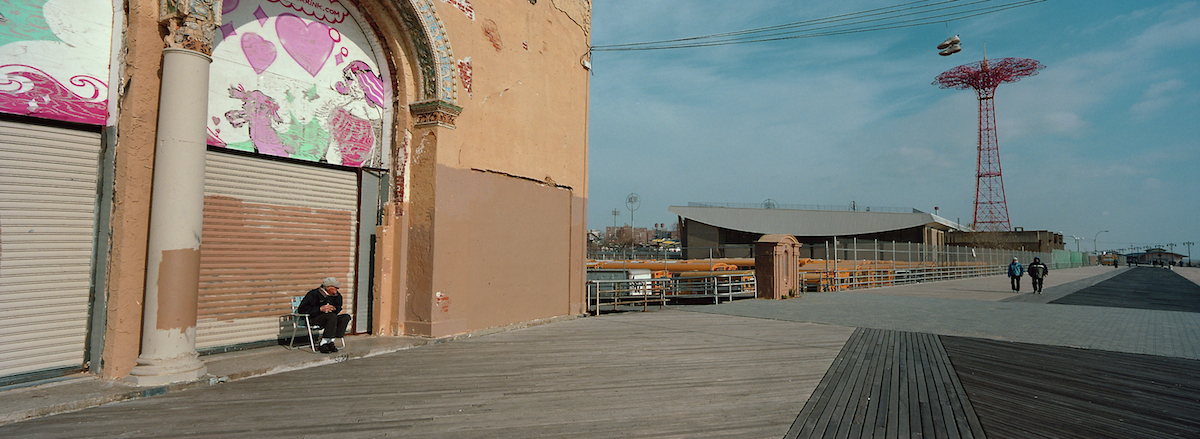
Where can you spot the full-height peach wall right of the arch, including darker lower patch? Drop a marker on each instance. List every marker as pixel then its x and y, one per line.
pixel 511 182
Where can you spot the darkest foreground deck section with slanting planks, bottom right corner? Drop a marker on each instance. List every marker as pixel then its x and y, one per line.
pixel 1041 392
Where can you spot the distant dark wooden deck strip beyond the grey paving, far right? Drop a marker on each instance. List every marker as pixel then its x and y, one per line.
pixel 1141 288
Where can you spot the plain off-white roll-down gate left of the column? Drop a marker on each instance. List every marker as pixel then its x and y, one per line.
pixel 49 181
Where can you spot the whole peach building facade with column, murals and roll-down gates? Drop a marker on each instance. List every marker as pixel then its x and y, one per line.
pixel 176 171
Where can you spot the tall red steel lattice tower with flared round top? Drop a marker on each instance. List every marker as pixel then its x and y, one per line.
pixel 992 211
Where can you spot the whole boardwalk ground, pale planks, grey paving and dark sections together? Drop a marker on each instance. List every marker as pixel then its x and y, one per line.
pixel 743 370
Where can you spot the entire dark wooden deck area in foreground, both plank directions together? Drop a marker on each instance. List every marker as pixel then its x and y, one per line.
pixel 893 384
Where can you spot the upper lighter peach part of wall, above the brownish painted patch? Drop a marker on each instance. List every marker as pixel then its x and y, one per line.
pixel 526 115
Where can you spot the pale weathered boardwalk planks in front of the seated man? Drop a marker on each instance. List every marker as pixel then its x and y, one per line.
pixel 663 375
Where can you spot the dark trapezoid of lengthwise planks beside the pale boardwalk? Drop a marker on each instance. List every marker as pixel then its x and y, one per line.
pixel 889 384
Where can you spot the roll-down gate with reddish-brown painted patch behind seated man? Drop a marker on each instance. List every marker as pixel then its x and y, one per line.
pixel 273 231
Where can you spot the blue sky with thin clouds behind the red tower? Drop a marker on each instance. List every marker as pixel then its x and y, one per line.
pixel 1105 139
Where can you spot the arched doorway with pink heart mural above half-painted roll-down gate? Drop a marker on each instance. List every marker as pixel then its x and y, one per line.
pixel 308 142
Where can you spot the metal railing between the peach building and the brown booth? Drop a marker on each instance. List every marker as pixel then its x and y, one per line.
pixel 644 293
